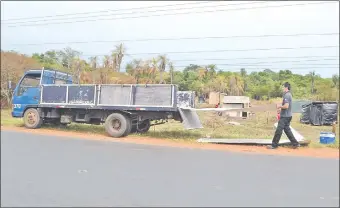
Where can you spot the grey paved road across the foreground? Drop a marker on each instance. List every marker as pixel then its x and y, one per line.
pixel 50 171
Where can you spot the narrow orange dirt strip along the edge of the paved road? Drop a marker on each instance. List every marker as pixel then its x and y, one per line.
pixel 309 152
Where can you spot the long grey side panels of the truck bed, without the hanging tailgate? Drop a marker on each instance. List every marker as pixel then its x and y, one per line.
pixel 127 96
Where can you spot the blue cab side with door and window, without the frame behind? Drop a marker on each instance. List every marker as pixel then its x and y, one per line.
pixel 26 94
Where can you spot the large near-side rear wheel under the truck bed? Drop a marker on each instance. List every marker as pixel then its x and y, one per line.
pixel 117 125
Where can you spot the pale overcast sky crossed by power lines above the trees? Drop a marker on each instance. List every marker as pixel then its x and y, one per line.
pixel 291 32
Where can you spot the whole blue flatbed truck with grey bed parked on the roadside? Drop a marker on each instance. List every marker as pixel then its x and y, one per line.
pixel 49 96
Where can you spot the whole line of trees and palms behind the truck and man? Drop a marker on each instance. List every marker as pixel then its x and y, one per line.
pixel 264 84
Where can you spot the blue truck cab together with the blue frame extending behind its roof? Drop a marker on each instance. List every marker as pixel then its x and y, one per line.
pixel 28 90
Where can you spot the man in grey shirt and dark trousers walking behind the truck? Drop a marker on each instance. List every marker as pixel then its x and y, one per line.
pixel 285 110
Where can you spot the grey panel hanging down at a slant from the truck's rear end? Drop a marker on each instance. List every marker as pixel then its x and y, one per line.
pixel 190 118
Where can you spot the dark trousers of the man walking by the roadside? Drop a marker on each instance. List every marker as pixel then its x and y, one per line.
pixel 283 125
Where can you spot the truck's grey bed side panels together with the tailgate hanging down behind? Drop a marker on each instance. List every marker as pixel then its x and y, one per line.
pixel 128 97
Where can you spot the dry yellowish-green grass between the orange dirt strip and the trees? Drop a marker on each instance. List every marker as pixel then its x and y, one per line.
pixel 260 126
